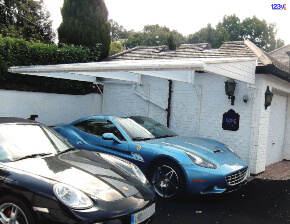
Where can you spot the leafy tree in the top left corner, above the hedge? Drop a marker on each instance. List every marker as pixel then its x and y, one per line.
pixel 26 19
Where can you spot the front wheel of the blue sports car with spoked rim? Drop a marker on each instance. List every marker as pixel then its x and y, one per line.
pixel 167 180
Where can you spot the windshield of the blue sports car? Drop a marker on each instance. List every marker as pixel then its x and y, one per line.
pixel 143 128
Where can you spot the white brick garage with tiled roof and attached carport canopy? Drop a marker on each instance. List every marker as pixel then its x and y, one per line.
pixel 185 89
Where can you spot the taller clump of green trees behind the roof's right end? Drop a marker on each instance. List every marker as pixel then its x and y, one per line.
pixel 232 29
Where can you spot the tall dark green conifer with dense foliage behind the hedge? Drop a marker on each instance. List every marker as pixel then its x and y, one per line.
pixel 86 23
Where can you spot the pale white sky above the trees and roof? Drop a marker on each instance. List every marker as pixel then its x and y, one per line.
pixel 186 16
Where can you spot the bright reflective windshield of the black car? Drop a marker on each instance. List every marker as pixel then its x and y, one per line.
pixel 19 141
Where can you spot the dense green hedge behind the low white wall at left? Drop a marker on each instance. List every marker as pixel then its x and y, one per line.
pixel 18 52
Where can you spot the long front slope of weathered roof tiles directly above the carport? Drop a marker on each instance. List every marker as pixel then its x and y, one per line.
pixel 232 49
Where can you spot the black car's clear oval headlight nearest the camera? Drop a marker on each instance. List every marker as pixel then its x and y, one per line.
pixel 72 197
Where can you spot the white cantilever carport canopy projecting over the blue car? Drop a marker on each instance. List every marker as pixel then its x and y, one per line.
pixel 242 69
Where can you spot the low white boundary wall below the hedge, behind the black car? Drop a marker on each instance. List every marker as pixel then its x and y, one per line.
pixel 51 108
